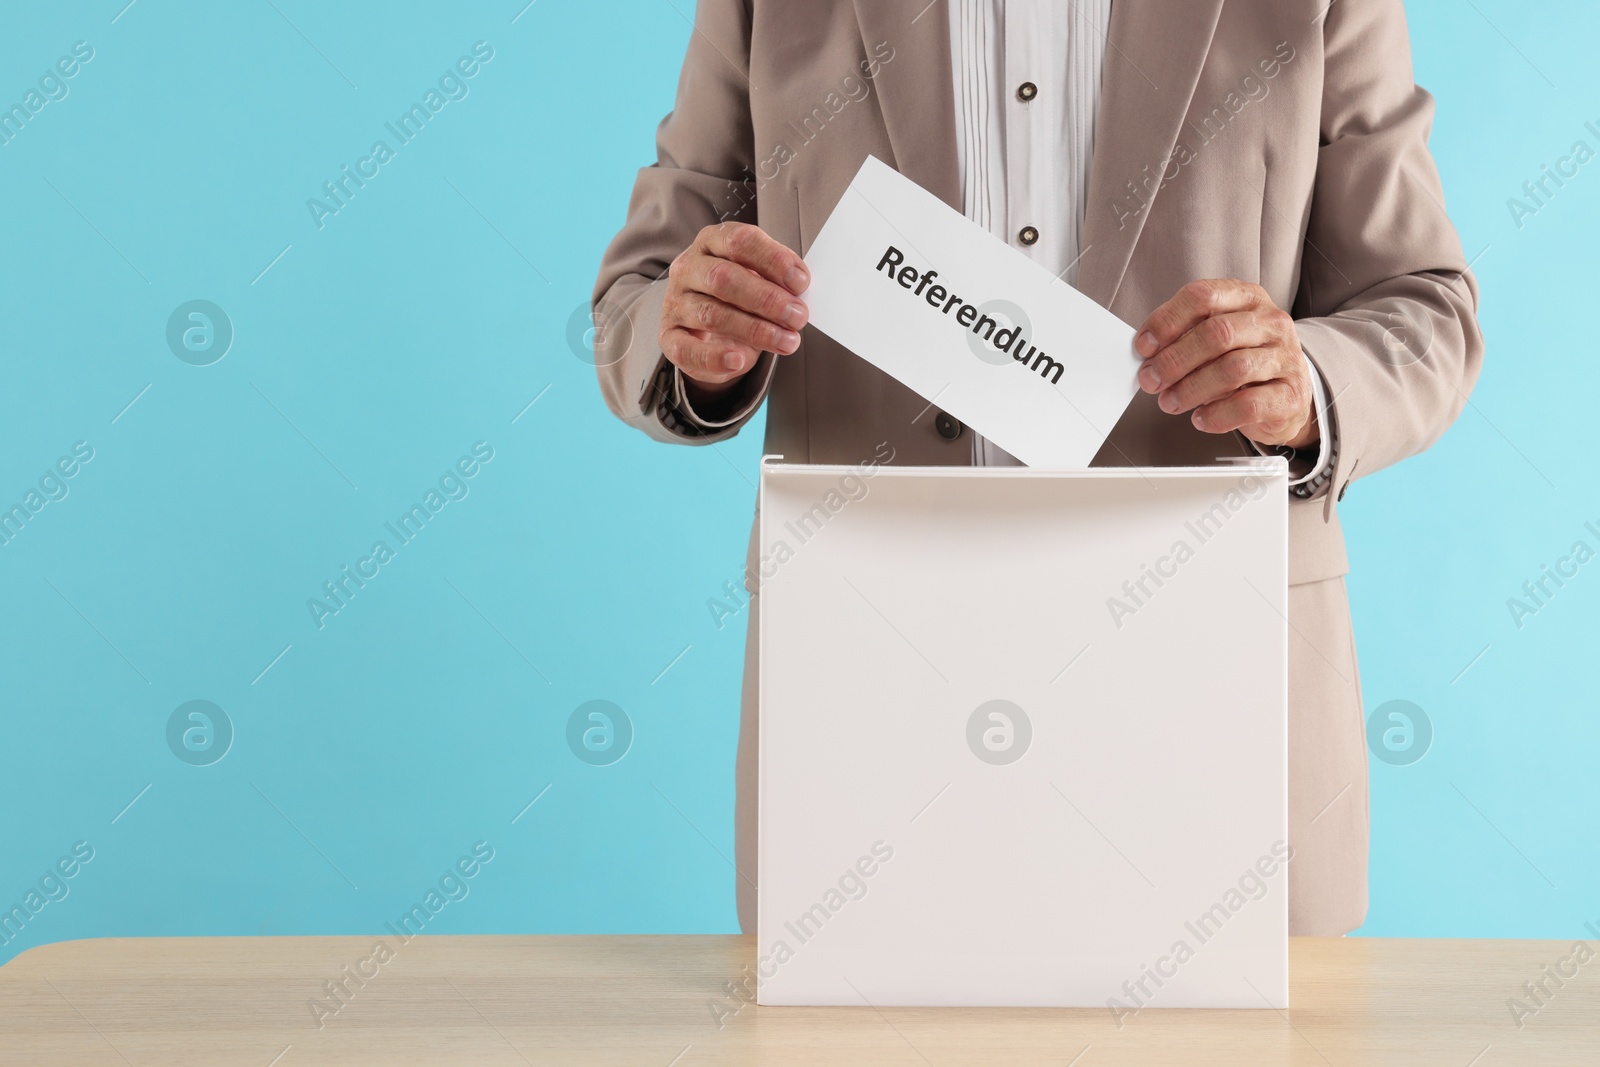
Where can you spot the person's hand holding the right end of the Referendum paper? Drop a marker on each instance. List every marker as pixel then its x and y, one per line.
pixel 1225 351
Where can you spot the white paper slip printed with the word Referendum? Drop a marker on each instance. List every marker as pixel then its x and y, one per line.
pixel 969 322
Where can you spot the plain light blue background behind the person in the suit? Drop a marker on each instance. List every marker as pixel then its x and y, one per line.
pixel 425 318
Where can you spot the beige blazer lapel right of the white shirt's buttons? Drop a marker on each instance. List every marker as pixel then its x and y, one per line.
pixel 1153 65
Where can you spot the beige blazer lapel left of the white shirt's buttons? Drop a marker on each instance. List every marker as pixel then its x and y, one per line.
pixel 914 90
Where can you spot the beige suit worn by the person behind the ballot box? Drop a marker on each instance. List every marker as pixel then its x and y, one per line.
pixel 1278 142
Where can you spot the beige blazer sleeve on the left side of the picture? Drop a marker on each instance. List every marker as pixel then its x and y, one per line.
pixel 703 175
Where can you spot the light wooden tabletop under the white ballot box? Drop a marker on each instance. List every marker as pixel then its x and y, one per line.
pixel 657 1002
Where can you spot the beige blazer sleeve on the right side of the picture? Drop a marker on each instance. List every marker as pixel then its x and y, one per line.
pixel 1386 310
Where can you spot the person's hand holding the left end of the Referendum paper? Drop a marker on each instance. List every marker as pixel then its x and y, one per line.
pixel 732 297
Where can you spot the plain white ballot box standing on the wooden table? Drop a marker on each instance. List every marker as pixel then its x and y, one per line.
pixel 1023 737
